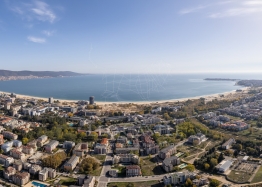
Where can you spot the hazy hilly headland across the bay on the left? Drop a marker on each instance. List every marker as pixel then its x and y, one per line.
pixel 16 75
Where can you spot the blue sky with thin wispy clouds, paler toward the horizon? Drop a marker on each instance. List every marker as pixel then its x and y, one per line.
pixel 131 36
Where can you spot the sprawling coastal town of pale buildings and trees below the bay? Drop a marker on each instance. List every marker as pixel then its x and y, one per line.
pixel 198 142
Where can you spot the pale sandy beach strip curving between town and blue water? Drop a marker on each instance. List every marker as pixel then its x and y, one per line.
pixel 207 97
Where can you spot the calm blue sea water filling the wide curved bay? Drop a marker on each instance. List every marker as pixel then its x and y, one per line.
pixel 125 87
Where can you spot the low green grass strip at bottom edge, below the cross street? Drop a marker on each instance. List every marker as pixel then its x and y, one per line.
pixel 136 184
